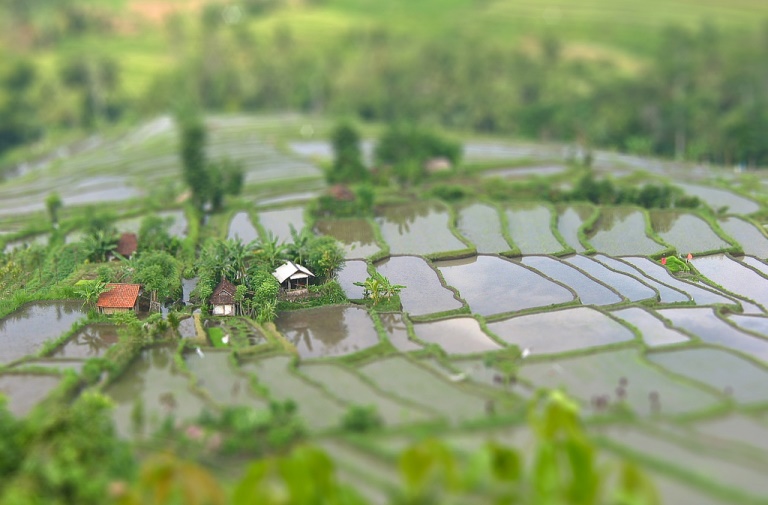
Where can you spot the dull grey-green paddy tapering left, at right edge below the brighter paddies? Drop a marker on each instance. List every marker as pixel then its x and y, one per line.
pixel 721 370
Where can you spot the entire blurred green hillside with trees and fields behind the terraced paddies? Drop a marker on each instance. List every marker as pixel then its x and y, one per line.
pixel 678 78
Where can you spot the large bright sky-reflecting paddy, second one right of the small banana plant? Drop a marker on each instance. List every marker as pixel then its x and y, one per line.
pixel 492 285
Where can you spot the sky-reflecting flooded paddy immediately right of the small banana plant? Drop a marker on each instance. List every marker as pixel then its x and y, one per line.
pixel 423 293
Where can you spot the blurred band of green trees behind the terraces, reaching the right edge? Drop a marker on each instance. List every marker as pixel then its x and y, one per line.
pixel 700 94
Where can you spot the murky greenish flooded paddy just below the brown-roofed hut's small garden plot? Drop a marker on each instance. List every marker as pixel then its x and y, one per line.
pixel 221 380
